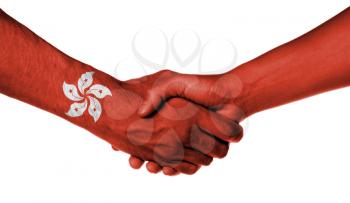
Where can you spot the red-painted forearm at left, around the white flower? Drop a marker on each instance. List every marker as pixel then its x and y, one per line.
pixel 33 71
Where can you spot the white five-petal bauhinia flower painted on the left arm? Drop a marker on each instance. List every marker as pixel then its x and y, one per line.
pixel 99 91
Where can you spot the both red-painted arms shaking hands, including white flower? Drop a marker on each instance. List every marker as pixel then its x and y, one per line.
pixel 174 122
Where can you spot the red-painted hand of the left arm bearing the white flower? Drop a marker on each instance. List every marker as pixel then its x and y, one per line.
pixel 180 138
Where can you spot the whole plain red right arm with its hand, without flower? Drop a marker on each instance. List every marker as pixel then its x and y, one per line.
pixel 316 62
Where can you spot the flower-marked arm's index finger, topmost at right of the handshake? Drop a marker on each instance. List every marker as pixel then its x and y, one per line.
pixel 219 126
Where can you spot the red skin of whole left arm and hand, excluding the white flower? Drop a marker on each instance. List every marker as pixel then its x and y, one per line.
pixel 180 138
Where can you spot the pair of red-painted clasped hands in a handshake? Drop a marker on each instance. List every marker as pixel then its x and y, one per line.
pixel 176 122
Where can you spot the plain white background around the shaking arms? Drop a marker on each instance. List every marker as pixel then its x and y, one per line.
pixel 295 153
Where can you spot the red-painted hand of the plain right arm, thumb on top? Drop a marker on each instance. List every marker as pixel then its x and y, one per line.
pixel 221 93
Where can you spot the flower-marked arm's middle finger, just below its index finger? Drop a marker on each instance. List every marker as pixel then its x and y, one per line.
pixel 207 144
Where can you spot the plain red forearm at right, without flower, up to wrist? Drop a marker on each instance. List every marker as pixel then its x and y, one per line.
pixel 313 63
